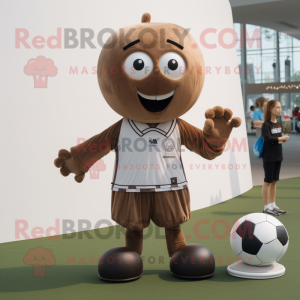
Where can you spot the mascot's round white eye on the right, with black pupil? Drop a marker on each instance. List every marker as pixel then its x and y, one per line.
pixel 172 65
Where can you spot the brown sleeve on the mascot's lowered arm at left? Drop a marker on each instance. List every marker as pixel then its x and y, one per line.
pixel 88 152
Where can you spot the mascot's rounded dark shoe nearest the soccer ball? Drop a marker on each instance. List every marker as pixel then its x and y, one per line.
pixel 192 262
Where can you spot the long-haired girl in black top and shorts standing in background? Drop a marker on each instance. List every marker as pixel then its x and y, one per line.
pixel 272 156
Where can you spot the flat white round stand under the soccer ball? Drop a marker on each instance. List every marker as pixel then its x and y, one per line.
pixel 240 269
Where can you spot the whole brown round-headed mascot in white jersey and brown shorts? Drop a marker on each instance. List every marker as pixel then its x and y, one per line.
pixel 151 80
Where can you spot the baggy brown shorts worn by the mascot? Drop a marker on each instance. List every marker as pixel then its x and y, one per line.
pixel 165 209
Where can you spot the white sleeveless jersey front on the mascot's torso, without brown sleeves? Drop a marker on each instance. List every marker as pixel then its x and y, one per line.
pixel 148 158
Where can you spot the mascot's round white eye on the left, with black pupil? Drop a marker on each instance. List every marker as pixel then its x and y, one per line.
pixel 138 65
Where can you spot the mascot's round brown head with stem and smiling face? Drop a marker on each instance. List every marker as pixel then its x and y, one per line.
pixel 151 72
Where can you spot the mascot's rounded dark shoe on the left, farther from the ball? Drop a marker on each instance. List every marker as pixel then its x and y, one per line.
pixel 120 264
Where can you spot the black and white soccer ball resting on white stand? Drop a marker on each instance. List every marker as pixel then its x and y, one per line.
pixel 259 239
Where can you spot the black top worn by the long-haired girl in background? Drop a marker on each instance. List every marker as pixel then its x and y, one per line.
pixel 272 150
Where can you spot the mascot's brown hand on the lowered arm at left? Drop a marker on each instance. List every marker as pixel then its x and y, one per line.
pixel 67 165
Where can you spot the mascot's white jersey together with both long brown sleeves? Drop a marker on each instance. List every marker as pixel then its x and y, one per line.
pixel 148 157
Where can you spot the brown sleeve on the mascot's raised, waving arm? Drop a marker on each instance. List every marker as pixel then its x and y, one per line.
pixel 194 139
